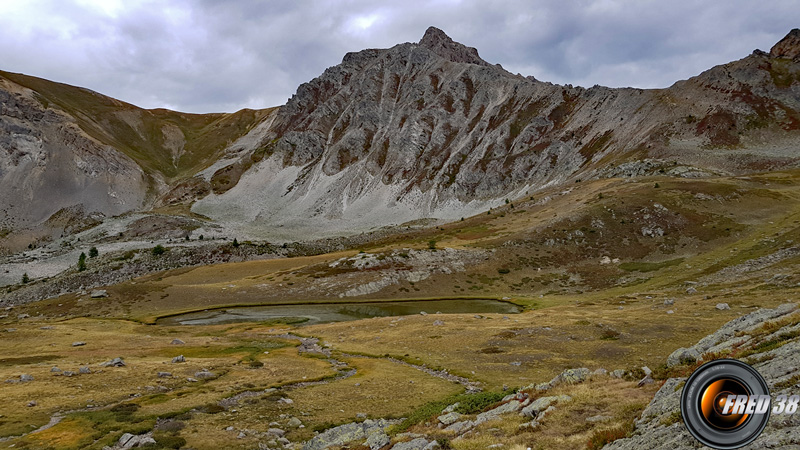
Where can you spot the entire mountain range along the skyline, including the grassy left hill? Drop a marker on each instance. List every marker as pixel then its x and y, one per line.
pixel 419 130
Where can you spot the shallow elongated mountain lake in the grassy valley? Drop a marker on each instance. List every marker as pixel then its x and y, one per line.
pixel 340 312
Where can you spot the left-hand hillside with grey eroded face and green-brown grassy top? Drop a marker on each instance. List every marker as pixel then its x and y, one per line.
pixel 70 156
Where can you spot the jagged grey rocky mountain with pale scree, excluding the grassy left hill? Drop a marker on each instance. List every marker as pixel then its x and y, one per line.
pixel 429 129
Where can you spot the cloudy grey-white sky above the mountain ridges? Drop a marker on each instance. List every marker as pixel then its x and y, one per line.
pixel 213 55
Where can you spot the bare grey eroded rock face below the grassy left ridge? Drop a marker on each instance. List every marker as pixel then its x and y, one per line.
pixel 49 164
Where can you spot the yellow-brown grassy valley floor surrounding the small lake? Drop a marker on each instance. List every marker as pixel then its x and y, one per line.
pixel 611 274
